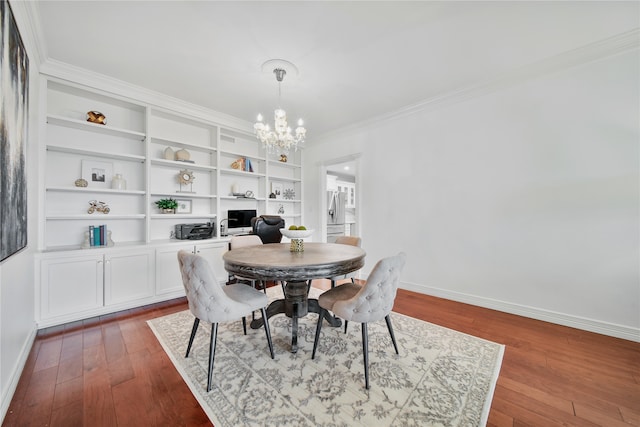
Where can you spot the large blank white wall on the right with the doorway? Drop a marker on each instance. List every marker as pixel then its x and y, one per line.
pixel 524 199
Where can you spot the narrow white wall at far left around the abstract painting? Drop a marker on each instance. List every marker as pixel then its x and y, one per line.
pixel 17 324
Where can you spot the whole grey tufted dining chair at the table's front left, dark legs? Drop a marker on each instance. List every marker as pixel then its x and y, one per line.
pixel 213 303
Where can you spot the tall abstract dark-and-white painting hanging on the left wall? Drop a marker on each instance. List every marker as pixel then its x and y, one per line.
pixel 14 113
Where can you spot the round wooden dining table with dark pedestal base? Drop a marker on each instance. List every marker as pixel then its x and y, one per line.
pixel 295 270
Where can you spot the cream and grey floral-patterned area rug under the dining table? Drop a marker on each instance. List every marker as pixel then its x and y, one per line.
pixel 441 377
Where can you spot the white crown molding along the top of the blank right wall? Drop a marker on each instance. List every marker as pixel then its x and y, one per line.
pixel 592 52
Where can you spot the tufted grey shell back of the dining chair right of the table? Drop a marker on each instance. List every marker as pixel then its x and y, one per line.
pixel 375 300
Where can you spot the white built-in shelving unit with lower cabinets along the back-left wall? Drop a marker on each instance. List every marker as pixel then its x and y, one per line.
pixel 139 142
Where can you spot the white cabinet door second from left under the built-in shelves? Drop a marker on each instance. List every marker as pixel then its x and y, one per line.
pixel 128 276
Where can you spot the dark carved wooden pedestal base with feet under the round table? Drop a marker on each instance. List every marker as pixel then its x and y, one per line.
pixel 296 304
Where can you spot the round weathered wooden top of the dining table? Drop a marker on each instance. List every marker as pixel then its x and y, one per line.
pixel 275 261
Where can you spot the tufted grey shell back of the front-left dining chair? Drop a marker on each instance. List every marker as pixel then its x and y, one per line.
pixel 207 299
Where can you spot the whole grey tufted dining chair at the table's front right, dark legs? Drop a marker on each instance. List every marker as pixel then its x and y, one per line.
pixel 366 303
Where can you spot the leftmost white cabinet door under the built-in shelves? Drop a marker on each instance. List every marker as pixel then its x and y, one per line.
pixel 71 285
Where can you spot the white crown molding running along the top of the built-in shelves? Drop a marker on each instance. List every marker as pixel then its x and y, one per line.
pixel 77 75
